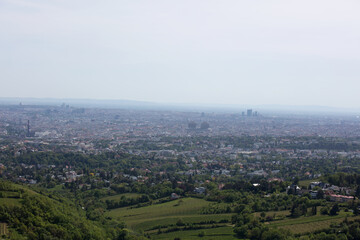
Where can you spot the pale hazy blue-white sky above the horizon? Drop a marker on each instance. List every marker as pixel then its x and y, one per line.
pixel 187 51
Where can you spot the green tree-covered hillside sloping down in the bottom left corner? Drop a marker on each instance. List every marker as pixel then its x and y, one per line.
pixel 35 215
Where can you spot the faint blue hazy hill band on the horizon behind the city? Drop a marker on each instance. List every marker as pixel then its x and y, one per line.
pixel 131 104
